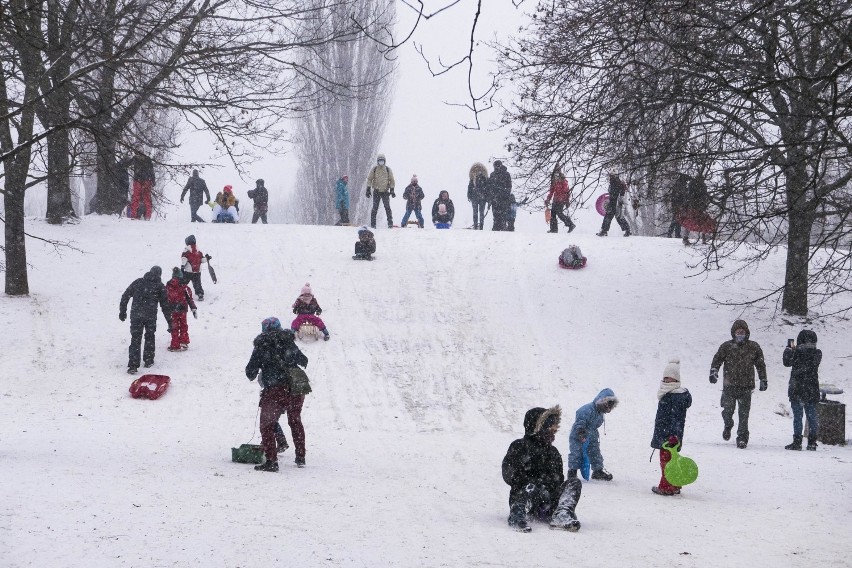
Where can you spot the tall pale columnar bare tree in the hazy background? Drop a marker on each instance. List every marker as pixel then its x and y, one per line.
pixel 341 135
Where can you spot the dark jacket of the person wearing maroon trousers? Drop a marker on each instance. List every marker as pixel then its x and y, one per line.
pixel 274 353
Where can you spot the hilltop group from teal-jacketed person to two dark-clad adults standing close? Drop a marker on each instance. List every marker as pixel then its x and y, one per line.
pixel 484 190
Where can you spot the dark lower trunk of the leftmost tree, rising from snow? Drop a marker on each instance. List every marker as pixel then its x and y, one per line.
pixel 17 283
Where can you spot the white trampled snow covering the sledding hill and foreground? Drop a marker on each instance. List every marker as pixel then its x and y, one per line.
pixel 438 348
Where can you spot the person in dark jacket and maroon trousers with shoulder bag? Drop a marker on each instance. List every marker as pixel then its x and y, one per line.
pixel 274 354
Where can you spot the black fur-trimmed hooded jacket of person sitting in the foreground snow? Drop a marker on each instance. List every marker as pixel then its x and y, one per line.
pixel 533 459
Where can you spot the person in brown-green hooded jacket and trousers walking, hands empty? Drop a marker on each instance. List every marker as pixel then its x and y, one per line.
pixel 741 357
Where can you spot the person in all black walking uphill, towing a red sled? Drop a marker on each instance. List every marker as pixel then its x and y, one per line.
pixel 147 292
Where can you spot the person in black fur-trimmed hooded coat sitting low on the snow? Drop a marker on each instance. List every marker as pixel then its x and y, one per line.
pixel 533 470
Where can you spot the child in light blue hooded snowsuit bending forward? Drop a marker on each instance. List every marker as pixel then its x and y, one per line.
pixel 587 420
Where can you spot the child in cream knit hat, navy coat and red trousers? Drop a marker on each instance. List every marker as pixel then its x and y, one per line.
pixel 670 421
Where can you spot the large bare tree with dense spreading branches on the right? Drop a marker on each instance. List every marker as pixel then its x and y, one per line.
pixel 755 93
